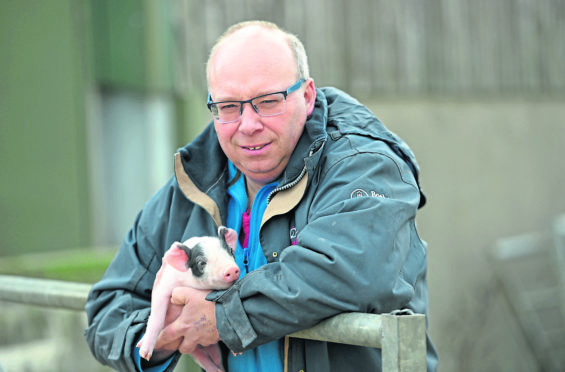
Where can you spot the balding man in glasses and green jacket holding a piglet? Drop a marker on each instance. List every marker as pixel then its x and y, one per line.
pixel 324 198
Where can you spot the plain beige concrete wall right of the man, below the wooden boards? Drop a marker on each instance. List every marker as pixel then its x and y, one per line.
pixel 491 168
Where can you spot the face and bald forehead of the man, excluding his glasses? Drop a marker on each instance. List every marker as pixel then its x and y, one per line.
pixel 245 66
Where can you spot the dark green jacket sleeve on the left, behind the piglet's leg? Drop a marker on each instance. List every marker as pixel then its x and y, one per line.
pixel 118 306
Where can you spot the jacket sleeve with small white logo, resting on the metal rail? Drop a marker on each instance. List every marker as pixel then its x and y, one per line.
pixel 358 251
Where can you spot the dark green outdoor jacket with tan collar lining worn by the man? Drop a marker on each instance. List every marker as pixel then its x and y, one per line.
pixel 339 235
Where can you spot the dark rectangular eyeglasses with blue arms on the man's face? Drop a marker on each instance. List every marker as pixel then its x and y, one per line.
pixel 270 104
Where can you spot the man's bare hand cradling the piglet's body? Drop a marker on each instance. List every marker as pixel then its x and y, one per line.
pixel 190 321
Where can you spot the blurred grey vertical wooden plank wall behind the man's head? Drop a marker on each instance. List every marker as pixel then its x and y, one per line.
pixel 401 47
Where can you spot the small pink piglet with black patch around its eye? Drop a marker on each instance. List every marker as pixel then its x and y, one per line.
pixel 201 263
